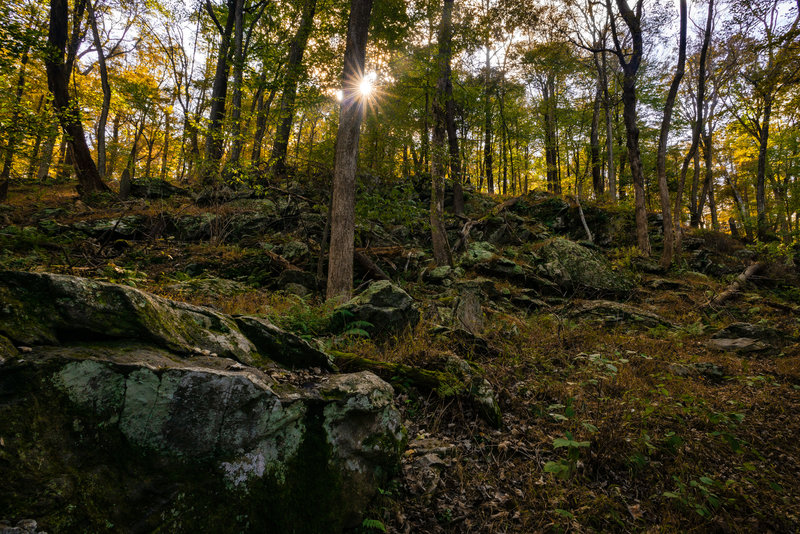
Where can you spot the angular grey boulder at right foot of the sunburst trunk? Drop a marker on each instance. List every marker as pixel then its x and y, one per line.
pixel 386 307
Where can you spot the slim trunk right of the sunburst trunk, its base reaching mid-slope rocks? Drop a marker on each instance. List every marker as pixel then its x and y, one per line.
pixel 441 248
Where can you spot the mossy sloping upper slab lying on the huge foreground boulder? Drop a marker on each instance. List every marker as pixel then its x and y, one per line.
pixel 43 308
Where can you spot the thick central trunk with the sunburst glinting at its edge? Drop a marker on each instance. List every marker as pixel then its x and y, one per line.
pixel 340 263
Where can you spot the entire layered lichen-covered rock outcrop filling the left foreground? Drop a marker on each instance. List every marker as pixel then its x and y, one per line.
pixel 115 411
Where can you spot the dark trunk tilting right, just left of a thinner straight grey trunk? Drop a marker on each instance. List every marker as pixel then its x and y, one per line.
pixel 219 92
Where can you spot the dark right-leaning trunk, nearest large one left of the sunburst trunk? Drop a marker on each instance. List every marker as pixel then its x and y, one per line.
pixel 293 70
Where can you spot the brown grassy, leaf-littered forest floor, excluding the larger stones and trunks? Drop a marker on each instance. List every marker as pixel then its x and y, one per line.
pixel 608 425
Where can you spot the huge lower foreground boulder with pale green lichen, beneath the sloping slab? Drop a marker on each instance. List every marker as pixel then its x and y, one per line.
pixel 188 435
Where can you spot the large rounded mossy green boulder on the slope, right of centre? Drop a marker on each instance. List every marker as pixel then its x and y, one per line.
pixel 579 268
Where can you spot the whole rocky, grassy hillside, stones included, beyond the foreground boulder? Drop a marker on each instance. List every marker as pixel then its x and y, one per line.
pixel 546 383
